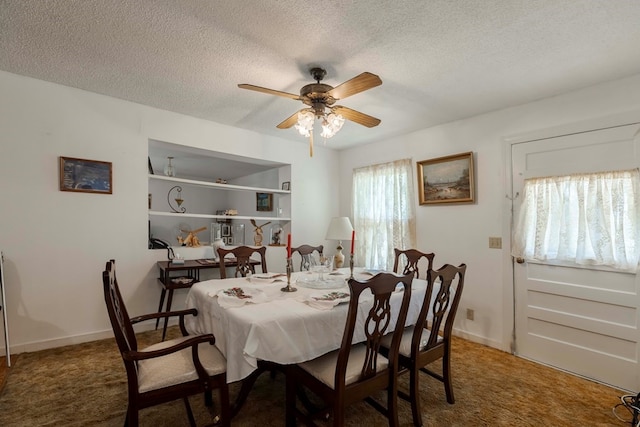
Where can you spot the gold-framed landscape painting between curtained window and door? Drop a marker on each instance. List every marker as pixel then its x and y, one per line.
pixel 447 179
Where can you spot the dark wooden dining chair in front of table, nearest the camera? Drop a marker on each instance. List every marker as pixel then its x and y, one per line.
pixel 355 372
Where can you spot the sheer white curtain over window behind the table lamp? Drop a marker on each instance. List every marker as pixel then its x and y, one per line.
pixel 383 213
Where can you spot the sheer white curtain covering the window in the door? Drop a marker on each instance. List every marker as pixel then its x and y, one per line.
pixel 588 219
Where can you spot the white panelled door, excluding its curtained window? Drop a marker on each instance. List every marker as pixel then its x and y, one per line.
pixel 582 320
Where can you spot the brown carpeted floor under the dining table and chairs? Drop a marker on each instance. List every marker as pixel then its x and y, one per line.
pixel 85 385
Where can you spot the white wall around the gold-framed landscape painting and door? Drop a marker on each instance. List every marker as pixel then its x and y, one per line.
pixel 460 233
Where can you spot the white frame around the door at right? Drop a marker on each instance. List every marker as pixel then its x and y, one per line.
pixel 582 126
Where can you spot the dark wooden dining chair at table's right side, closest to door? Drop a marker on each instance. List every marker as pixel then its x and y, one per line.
pixel 430 339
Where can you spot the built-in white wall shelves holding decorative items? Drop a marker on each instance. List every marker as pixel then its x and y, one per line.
pixel 200 174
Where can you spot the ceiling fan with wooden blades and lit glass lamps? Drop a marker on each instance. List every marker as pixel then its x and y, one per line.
pixel 320 99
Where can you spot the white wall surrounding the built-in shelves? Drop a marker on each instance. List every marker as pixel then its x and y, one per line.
pixel 56 243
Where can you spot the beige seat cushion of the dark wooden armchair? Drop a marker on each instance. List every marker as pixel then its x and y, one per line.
pixel 177 367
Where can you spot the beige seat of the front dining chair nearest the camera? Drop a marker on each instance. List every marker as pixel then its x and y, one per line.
pixel 324 367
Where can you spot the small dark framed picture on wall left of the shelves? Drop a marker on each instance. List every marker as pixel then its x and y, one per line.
pixel 86 176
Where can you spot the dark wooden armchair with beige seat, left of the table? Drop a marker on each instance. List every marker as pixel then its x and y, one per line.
pixel 169 370
